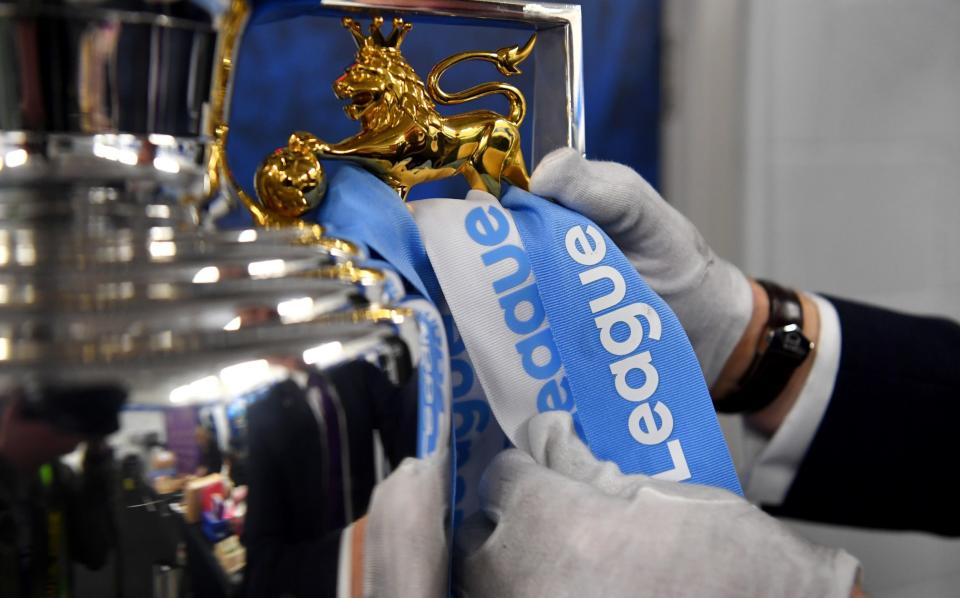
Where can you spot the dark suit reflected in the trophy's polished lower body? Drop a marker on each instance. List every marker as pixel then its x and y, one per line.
pixel 311 469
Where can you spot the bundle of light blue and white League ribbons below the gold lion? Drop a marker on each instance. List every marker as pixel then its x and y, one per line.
pixel 547 313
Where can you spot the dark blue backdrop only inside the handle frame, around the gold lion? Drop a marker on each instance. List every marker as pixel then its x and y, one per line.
pixel 288 67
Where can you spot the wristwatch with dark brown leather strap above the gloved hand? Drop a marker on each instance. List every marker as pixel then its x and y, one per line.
pixel 785 349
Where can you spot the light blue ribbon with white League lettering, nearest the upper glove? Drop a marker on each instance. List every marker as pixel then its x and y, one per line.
pixel 604 415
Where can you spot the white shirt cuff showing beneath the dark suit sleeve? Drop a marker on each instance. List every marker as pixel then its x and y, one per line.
pixel 777 459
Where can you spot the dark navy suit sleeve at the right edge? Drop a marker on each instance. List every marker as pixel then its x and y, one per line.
pixel 884 453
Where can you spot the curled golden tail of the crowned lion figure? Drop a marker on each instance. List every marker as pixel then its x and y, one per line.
pixel 507 61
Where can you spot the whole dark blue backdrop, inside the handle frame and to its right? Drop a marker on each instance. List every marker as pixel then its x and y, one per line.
pixel 287 67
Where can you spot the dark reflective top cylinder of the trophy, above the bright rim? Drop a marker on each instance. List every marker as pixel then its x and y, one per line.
pixel 105 67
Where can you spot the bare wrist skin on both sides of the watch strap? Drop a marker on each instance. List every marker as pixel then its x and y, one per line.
pixel 768 419
